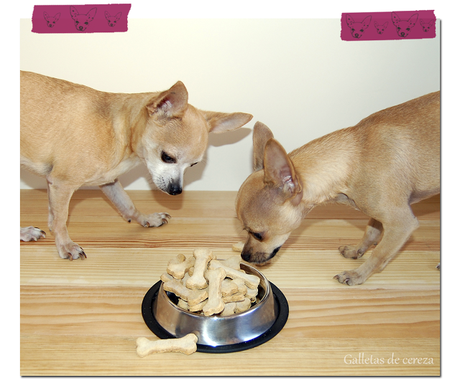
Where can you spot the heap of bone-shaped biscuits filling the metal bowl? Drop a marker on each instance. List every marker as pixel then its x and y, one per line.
pixel 207 286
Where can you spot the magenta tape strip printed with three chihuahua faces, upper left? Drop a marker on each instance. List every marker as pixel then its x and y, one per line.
pixel 89 18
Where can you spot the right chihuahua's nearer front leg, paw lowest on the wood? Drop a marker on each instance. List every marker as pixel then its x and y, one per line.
pixel 397 231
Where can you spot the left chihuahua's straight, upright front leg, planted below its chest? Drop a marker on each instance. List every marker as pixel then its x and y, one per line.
pixel 59 197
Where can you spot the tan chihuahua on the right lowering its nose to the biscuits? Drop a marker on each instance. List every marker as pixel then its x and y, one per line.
pixel 381 166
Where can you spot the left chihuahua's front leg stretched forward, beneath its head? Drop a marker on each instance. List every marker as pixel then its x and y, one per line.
pixel 115 192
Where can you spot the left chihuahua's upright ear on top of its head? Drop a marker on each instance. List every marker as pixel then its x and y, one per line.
pixel 170 103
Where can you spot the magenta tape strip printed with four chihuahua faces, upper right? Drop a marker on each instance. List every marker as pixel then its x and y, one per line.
pixel 403 25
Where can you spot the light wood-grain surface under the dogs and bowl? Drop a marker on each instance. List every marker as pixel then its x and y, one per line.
pixel 82 318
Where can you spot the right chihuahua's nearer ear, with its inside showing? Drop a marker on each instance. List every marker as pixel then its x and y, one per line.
pixel 280 173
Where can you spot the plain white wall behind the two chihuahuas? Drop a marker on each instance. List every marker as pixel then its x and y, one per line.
pixel 295 75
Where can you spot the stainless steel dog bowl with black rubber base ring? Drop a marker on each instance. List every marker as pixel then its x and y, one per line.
pixel 236 332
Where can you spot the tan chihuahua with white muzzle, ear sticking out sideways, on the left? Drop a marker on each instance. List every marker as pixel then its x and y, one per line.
pixel 74 136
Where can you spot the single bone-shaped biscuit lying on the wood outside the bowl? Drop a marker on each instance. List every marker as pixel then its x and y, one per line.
pixel 185 345
